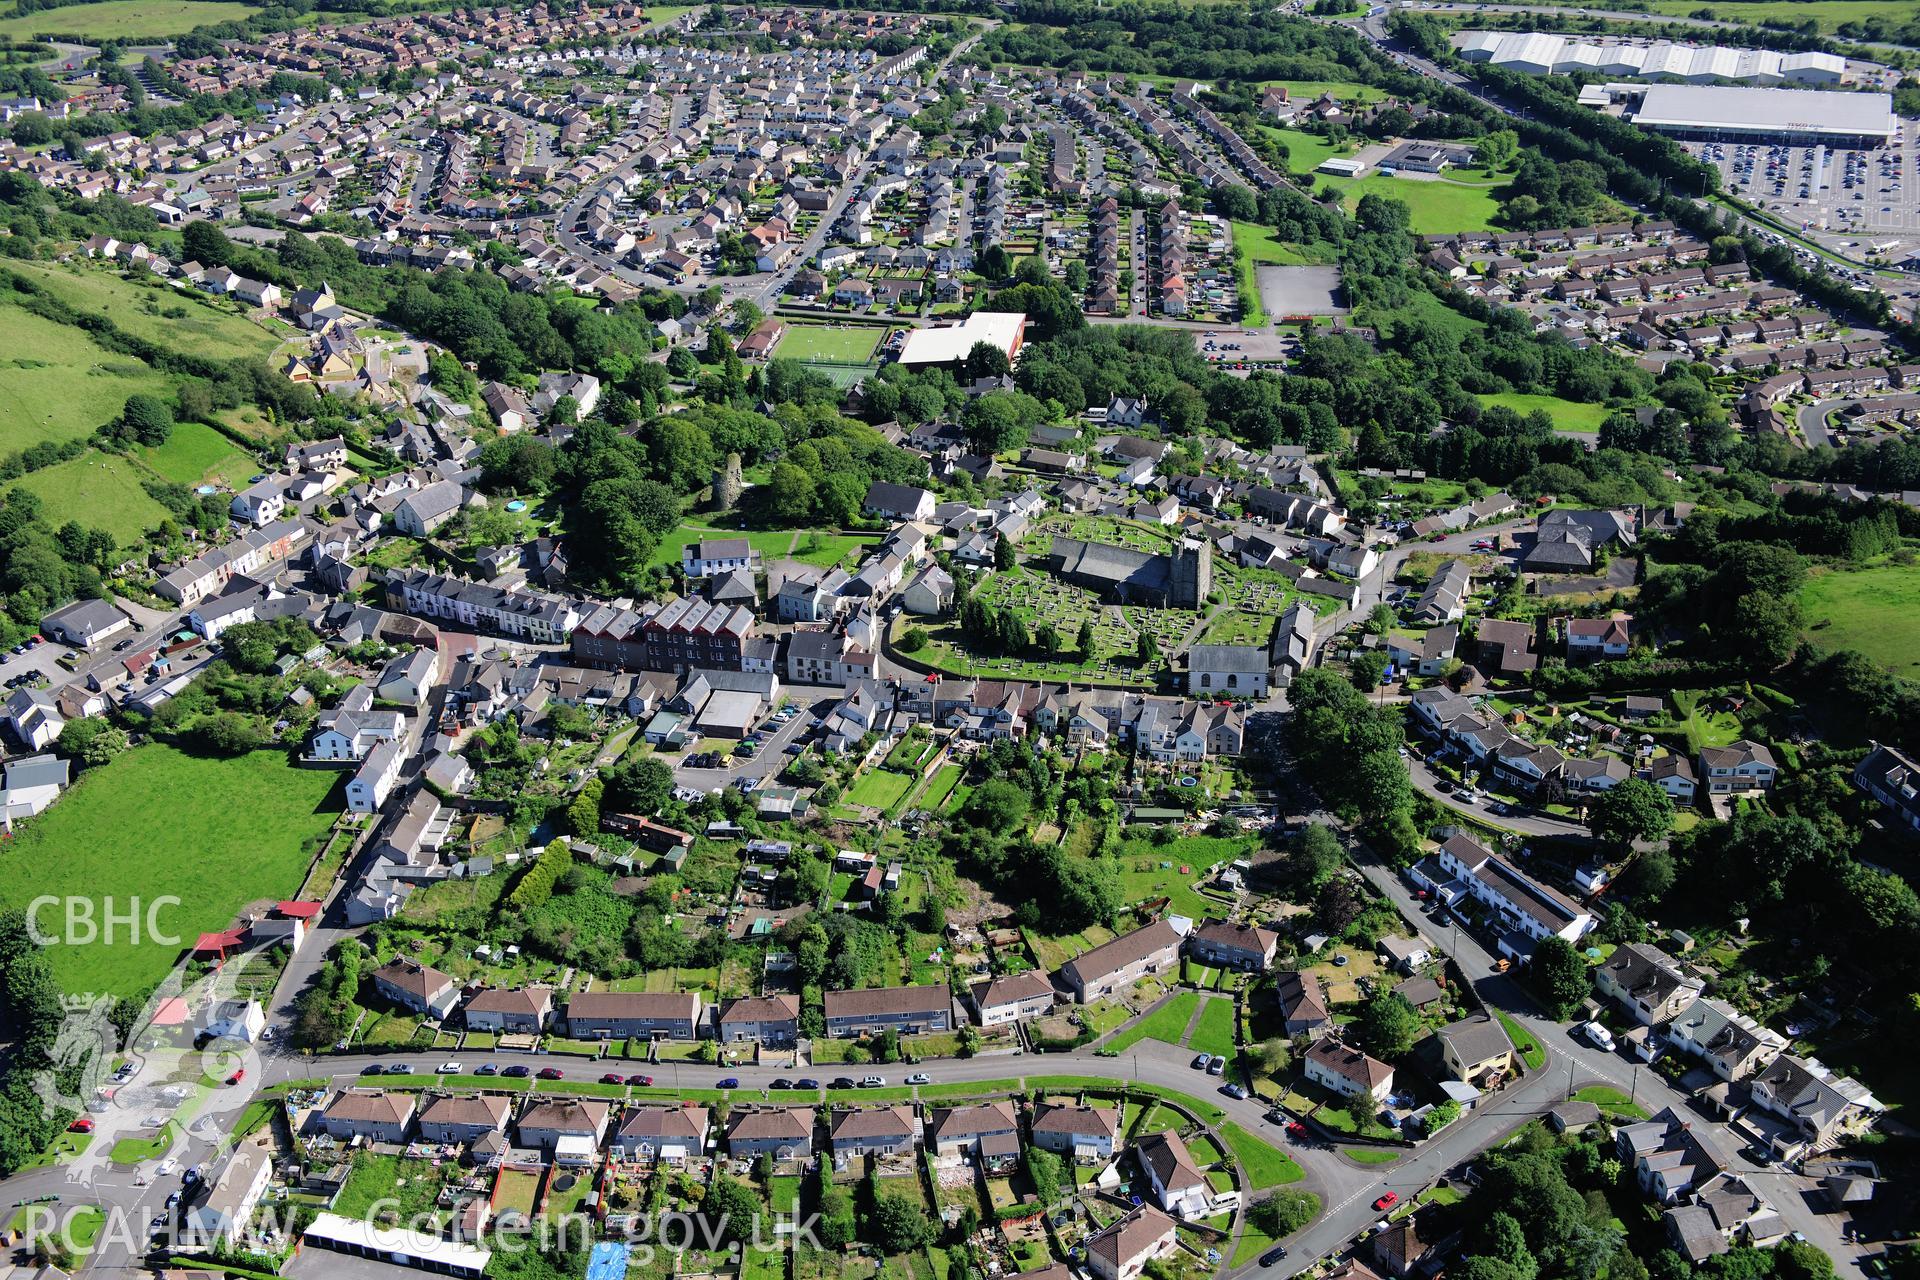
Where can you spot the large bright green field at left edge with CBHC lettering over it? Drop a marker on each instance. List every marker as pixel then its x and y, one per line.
pixel 156 822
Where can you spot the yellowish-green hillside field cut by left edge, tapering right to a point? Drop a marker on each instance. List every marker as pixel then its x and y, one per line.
pixel 59 385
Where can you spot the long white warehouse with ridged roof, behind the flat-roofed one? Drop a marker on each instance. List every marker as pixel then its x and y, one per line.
pixel 1539 53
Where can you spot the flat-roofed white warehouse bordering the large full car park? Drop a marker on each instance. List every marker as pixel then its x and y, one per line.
pixel 1792 116
